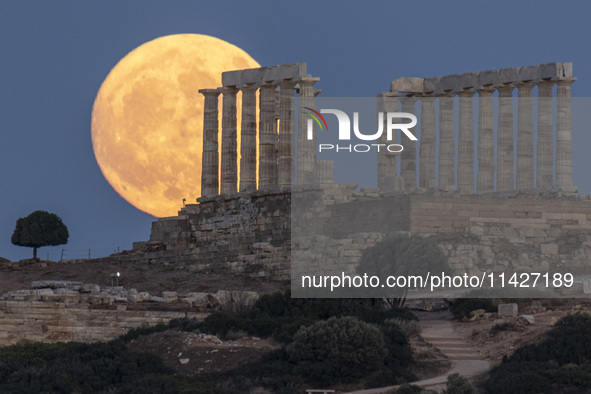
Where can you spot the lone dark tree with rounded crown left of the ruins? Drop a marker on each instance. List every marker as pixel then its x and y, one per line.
pixel 39 229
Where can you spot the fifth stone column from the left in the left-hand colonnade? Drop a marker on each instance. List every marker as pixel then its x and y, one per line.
pixel 286 146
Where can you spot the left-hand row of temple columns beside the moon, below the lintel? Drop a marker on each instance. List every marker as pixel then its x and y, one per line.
pixel 276 138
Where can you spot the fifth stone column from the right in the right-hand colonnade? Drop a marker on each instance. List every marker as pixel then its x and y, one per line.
pixel 486 155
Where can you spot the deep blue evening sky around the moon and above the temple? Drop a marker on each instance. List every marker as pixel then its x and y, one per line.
pixel 55 55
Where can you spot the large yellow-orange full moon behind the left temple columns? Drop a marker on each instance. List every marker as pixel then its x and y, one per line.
pixel 147 119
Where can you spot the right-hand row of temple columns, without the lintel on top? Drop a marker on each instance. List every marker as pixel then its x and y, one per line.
pixel 485 180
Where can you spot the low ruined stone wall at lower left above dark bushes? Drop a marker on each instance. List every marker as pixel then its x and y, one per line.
pixel 55 311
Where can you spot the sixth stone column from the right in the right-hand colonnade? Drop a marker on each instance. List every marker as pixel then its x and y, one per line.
pixel 466 143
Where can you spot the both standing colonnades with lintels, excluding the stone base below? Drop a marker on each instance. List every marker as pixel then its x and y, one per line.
pixel 276 132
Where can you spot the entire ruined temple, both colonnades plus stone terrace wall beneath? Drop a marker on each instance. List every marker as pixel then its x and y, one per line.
pixel 490 210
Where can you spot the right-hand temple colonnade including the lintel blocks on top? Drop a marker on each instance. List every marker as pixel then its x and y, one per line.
pixel 485 83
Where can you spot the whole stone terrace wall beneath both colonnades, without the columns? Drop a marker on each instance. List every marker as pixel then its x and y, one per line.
pixel 250 233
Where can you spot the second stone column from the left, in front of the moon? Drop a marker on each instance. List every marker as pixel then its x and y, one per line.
pixel 229 178
